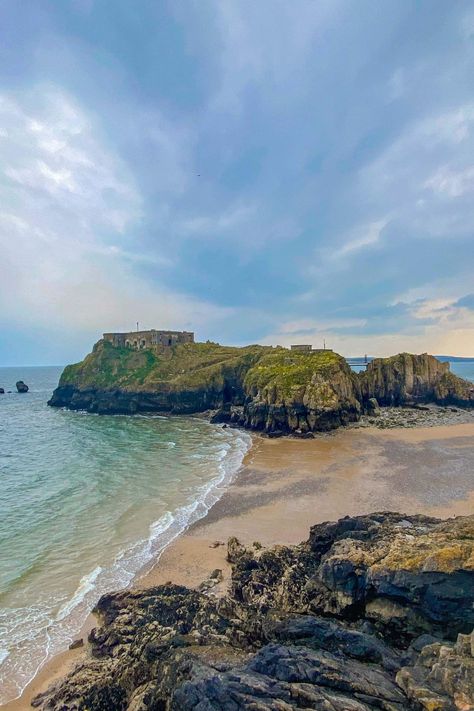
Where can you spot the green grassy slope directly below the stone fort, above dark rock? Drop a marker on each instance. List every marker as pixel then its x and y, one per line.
pixel 190 365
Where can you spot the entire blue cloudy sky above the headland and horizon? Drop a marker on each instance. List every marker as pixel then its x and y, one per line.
pixel 275 172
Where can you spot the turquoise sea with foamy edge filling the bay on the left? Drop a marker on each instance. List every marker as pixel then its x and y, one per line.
pixel 86 502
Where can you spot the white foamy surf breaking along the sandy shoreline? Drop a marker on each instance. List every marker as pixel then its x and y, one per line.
pixel 40 633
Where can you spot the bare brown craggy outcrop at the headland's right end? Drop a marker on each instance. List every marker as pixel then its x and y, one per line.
pixel 407 378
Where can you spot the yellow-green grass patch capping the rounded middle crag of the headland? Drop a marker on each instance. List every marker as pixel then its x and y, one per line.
pixel 288 371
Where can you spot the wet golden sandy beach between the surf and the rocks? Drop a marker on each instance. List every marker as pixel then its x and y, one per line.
pixel 286 485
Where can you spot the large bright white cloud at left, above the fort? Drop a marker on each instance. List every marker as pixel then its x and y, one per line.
pixel 68 263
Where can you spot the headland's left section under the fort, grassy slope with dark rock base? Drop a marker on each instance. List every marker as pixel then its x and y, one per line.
pixel 186 378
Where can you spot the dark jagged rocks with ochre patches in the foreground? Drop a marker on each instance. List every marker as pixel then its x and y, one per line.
pixel 372 612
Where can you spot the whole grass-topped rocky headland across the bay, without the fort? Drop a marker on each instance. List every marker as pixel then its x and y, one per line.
pixel 274 390
